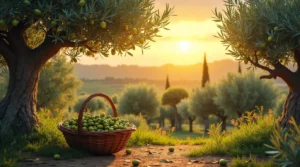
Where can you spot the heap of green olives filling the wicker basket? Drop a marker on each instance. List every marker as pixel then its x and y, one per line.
pixel 101 123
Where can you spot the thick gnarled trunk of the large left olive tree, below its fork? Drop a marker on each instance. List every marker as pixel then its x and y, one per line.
pixel 18 108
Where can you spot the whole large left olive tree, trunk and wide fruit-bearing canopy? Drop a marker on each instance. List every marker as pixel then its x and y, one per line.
pixel 33 31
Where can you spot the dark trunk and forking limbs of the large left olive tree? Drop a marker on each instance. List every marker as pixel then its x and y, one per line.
pixel 18 107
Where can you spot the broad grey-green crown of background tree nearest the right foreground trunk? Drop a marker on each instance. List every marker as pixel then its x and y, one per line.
pixel 238 93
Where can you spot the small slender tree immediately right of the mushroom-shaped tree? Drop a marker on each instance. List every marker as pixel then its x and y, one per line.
pixel 185 112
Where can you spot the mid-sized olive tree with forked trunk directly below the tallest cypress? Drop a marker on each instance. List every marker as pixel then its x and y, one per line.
pixel 202 104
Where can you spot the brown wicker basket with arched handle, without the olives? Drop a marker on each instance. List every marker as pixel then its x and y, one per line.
pixel 97 143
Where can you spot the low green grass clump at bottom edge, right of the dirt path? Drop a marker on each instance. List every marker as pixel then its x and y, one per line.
pixel 250 162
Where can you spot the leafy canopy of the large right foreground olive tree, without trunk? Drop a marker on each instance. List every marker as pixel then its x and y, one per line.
pixel 267 27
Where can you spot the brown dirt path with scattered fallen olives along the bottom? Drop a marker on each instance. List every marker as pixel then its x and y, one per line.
pixel 148 156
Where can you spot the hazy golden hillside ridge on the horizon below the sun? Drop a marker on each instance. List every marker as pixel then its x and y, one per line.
pixel 217 70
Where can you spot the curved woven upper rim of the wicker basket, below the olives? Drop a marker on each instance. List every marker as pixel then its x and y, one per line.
pixel 96 133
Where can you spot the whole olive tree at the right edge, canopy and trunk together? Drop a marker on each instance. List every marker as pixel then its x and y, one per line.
pixel 266 34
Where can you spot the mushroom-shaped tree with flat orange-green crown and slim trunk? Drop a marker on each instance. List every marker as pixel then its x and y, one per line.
pixel 172 97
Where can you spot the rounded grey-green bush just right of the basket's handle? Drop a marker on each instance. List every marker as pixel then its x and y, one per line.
pixel 139 99
